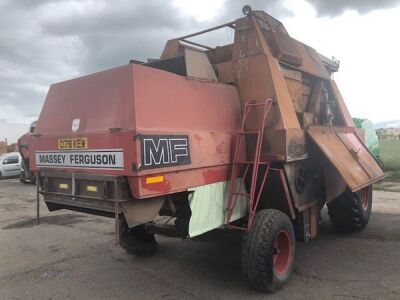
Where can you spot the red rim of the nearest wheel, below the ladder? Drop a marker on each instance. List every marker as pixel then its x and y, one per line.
pixel 282 252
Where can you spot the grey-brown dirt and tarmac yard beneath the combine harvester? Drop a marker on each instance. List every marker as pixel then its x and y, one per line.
pixel 71 255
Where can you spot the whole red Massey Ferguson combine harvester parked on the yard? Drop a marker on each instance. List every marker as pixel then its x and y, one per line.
pixel 252 136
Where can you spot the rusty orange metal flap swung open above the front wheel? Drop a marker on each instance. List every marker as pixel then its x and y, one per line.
pixel 348 155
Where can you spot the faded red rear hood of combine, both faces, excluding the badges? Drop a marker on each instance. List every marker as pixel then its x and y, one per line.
pixel 117 106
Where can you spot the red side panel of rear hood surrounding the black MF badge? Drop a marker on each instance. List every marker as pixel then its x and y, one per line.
pixel 207 113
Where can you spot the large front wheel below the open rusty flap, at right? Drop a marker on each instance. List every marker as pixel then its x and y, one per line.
pixel 351 211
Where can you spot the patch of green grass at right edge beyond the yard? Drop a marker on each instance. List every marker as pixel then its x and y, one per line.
pixel 390 155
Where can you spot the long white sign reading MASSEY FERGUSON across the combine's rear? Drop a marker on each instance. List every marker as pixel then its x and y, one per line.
pixel 88 159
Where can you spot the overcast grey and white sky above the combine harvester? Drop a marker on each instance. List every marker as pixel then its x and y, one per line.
pixel 43 42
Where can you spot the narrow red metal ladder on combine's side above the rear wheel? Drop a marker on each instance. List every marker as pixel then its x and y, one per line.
pixel 235 187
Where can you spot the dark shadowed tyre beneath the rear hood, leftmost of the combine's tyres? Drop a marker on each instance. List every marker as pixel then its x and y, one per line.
pixel 136 240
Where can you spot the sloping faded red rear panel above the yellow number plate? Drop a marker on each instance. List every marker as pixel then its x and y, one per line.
pixel 97 103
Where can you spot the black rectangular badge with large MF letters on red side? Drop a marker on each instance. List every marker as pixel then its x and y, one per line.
pixel 164 150
